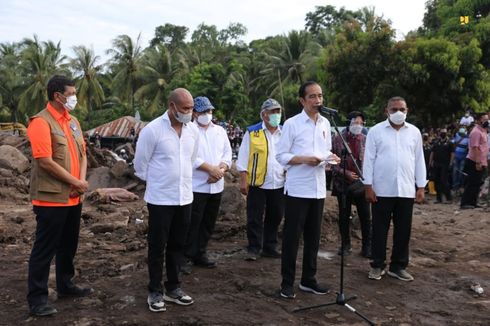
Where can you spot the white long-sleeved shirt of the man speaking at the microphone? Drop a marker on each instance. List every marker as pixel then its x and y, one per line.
pixel 301 136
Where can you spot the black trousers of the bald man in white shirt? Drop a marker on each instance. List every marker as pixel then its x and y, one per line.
pixel 167 231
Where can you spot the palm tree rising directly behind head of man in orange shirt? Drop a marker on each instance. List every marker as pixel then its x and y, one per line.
pixel 42 60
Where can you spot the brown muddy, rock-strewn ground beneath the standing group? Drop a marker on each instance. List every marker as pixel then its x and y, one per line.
pixel 450 252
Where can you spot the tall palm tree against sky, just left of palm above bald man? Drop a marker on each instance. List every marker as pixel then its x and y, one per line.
pixel 125 64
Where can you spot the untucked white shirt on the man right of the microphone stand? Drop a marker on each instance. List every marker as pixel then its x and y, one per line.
pixel 394 160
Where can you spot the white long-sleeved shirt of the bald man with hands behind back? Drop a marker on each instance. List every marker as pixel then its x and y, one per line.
pixel 165 161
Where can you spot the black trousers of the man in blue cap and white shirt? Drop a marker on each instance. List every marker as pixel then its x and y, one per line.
pixel 205 208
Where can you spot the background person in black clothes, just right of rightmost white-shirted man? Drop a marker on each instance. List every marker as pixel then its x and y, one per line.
pixel 441 158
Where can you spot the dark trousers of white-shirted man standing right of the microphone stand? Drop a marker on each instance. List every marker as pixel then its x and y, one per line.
pixel 383 211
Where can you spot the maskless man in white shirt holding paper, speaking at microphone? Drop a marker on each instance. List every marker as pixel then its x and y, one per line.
pixel 304 149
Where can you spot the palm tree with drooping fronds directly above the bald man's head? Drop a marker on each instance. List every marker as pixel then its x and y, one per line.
pixel 156 72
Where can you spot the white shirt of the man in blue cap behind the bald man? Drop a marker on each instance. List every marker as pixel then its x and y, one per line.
pixel 214 148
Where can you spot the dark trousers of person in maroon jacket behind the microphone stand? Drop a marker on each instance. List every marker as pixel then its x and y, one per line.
pixel 363 210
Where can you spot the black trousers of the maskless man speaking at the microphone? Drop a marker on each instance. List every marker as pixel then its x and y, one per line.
pixel 303 216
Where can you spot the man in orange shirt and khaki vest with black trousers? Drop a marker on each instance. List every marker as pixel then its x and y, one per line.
pixel 58 180
